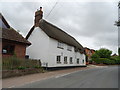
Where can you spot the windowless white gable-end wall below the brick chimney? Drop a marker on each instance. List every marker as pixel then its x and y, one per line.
pixel 39 47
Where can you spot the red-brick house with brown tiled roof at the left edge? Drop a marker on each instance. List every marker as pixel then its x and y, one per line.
pixel 11 42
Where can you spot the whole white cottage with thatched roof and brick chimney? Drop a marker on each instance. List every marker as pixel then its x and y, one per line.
pixel 53 46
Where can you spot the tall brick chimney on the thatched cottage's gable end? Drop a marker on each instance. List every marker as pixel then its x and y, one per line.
pixel 38 16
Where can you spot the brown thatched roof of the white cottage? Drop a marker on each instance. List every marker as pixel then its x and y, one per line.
pixel 56 33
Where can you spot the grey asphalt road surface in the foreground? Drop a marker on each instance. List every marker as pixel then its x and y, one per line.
pixel 99 77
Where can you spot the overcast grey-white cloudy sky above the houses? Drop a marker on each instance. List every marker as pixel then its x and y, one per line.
pixel 90 22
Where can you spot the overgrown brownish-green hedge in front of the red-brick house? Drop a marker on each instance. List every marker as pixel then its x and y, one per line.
pixel 17 63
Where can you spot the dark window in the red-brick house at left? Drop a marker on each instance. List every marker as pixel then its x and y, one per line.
pixel 8 49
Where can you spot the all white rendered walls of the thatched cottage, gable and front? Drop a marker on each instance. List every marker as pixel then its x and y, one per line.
pixel 45 49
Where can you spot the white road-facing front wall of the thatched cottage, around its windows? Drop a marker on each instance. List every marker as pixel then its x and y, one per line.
pixel 54 52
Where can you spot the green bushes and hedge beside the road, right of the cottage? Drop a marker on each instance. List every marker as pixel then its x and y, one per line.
pixel 103 56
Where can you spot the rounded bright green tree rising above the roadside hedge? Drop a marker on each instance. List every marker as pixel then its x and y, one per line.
pixel 104 53
